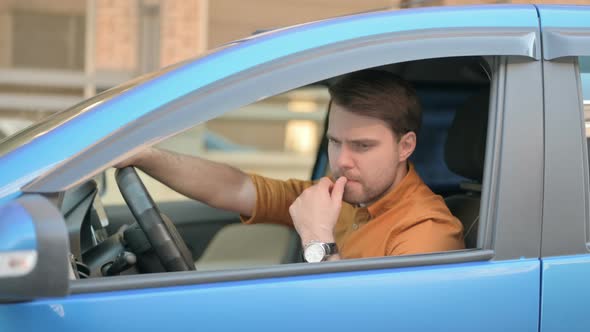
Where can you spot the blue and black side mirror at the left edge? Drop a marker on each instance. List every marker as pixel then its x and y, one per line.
pixel 34 250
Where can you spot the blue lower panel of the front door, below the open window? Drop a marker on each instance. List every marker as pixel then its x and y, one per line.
pixel 482 296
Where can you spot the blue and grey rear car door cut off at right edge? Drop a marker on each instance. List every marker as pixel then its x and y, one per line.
pixel 566 258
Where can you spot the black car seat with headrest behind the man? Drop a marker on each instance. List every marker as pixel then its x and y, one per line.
pixel 464 155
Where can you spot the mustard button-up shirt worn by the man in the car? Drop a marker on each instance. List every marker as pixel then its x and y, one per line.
pixel 410 219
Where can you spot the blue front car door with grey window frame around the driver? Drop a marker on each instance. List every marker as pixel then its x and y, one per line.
pixel 494 287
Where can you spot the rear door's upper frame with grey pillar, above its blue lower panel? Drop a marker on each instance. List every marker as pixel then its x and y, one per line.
pixel 566 223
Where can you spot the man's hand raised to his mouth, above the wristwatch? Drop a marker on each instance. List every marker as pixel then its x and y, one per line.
pixel 315 212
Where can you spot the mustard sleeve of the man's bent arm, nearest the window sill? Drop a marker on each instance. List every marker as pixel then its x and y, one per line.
pixel 428 236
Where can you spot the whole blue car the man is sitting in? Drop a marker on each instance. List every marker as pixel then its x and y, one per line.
pixel 504 140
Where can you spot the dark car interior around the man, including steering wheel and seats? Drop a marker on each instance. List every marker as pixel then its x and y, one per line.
pixel 145 236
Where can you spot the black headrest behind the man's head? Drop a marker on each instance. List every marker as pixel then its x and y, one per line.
pixel 466 139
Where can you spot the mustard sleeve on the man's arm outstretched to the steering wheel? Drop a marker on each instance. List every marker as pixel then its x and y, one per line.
pixel 273 198
